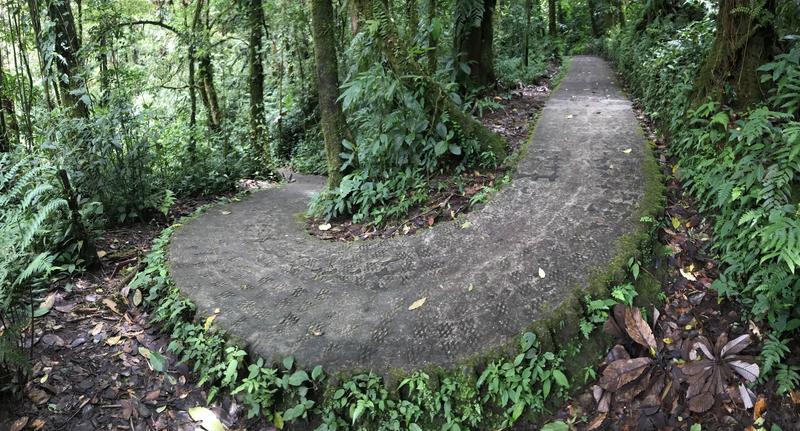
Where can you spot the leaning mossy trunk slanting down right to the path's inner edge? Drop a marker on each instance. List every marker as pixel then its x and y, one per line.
pixel 406 68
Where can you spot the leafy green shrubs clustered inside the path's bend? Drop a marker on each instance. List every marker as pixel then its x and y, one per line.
pixel 400 142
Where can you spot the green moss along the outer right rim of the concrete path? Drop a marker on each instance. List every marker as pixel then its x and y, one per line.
pixel 559 330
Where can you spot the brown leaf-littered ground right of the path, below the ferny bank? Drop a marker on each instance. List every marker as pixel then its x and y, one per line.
pixel 689 307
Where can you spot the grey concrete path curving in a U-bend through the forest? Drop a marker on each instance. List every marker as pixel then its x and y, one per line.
pixel 346 305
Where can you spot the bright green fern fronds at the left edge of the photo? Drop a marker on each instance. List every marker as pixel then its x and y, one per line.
pixel 36 241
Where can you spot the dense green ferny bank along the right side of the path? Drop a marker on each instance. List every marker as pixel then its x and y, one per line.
pixel 741 166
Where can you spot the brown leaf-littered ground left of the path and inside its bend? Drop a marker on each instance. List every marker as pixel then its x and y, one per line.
pixel 93 361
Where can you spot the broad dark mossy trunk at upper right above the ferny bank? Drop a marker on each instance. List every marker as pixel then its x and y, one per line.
pixel 744 41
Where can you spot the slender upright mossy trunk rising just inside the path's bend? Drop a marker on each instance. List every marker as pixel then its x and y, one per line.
pixel 334 123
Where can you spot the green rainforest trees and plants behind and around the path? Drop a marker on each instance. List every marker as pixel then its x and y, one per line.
pixel 113 111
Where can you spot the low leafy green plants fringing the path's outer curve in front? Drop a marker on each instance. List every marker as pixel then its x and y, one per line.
pixel 494 393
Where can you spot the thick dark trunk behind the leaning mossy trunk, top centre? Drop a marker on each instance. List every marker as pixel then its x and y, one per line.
pixel 473 45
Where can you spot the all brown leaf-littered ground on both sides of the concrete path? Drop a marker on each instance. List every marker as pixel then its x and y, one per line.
pixel 94 367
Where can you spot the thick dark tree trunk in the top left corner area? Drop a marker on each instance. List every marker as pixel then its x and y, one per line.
pixel 67 46
